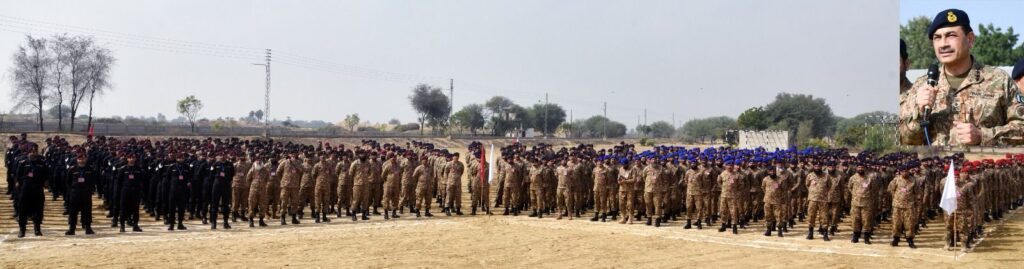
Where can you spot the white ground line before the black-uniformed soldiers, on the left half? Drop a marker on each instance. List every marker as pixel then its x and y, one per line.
pixel 206 236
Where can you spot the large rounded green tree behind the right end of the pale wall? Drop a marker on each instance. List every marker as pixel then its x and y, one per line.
pixel 789 112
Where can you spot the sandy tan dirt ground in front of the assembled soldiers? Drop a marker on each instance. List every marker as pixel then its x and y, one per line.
pixel 502 242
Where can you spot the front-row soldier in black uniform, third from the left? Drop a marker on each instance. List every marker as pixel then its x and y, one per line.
pixel 132 180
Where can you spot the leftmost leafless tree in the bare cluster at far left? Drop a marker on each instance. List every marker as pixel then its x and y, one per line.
pixel 31 74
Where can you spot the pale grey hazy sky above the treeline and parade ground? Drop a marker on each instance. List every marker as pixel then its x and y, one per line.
pixel 675 60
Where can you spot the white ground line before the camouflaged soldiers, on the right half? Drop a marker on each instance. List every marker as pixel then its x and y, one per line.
pixel 754 244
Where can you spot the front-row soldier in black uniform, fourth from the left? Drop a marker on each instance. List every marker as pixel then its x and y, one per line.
pixel 179 186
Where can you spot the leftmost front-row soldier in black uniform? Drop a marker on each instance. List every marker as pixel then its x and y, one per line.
pixel 32 176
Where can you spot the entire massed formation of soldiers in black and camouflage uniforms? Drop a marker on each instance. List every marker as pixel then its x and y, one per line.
pixel 221 182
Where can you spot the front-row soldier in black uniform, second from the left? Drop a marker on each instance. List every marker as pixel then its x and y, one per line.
pixel 81 182
